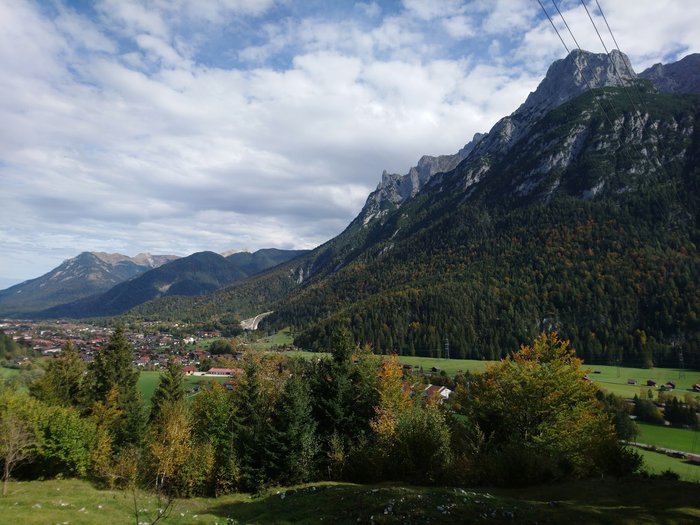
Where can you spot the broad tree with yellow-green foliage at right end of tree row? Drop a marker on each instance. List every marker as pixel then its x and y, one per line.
pixel 540 416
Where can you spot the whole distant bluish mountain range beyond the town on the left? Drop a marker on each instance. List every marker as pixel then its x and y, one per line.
pixel 96 284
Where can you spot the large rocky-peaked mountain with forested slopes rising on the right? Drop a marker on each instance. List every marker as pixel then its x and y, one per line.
pixel 579 215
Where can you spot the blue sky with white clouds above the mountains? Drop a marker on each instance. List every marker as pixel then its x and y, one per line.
pixel 177 126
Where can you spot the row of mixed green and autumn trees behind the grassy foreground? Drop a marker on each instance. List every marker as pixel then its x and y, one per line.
pixel 351 416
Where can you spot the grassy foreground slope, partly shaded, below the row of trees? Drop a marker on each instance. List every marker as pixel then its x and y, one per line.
pixel 594 501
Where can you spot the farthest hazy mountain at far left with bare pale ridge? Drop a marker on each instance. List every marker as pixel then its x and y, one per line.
pixel 82 276
